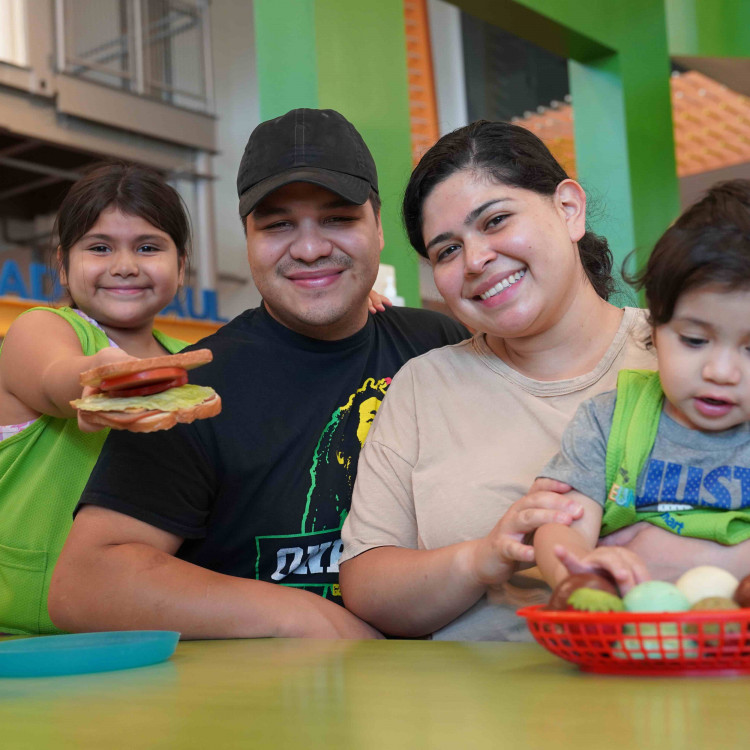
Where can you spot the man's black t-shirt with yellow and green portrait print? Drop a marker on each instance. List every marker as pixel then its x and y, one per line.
pixel 262 490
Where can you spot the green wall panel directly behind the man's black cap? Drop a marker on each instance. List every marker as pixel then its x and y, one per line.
pixel 348 56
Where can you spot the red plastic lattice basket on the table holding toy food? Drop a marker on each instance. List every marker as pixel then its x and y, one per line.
pixel 645 643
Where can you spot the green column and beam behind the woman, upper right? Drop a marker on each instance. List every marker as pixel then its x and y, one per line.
pixel 619 79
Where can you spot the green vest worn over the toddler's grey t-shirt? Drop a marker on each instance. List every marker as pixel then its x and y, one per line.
pixel 634 426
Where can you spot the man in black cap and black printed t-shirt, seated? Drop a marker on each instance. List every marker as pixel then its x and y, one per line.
pixel 191 529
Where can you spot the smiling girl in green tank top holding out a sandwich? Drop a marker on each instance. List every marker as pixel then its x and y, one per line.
pixel 123 246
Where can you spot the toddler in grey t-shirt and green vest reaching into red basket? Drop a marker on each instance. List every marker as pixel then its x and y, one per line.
pixel 670 448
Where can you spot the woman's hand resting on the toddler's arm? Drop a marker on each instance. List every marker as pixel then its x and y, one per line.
pixel 496 555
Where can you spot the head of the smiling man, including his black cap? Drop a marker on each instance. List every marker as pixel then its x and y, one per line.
pixel 315 164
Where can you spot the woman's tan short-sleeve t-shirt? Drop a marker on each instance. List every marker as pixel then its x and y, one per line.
pixel 459 437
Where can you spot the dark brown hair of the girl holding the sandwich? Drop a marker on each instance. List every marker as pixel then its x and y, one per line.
pixel 132 189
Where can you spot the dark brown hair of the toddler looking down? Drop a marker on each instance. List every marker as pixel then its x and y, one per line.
pixel 708 245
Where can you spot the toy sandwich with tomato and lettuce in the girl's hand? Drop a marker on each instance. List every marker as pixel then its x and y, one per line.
pixel 145 395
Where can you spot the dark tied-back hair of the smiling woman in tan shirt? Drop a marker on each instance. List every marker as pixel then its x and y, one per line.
pixel 507 154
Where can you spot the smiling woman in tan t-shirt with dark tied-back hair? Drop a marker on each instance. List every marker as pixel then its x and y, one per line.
pixel 442 502
